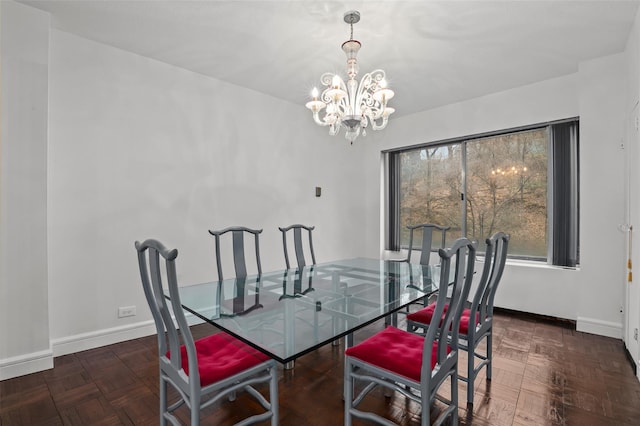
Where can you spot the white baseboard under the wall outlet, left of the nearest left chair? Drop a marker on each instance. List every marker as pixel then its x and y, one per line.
pixel 96 339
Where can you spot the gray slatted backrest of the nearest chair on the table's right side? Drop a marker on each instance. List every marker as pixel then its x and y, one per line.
pixel 461 256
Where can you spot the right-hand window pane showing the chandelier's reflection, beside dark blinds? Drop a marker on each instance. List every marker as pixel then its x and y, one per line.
pixel 507 190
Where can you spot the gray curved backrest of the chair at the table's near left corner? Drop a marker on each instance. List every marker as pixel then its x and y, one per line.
pixel 155 260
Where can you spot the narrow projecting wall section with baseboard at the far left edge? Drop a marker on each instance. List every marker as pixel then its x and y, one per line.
pixel 24 312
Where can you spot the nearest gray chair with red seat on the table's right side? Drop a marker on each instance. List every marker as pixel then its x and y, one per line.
pixel 412 365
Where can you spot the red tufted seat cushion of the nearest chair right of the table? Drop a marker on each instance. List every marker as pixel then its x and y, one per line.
pixel 394 350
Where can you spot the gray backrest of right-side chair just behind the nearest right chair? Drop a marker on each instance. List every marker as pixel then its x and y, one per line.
pixel 494 262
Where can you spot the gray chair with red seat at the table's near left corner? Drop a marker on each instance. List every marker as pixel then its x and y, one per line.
pixel 205 371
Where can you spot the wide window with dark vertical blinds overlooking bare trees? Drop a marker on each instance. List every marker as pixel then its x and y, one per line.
pixel 523 182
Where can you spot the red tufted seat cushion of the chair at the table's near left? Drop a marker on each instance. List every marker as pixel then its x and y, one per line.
pixel 221 356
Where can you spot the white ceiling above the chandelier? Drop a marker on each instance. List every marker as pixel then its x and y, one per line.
pixel 434 52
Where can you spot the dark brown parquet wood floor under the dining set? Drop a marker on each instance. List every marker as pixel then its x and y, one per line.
pixel 545 373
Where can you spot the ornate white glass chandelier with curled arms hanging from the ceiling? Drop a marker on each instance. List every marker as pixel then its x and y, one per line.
pixel 350 104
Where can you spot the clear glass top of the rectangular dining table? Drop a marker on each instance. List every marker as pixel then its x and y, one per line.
pixel 289 313
